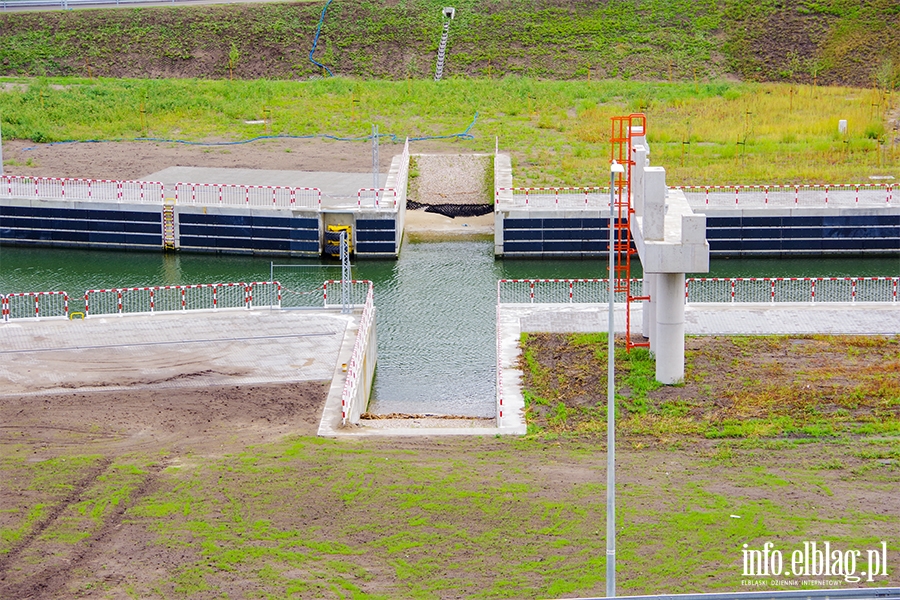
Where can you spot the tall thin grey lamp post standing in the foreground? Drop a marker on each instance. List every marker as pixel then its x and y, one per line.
pixel 614 169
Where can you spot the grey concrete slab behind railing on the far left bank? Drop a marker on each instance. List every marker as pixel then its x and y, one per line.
pixel 338 189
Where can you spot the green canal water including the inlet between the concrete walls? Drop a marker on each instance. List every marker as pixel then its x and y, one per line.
pixel 436 304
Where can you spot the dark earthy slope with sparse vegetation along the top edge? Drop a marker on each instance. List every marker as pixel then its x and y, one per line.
pixel 829 41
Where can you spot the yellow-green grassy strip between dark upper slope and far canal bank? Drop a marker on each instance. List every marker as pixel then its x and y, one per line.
pixel 557 132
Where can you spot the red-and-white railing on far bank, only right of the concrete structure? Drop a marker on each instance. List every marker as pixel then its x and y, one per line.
pixel 790 196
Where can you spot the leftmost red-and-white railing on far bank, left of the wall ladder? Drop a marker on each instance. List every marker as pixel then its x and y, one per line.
pixel 87 190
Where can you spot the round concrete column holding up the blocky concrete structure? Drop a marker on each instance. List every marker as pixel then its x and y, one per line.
pixel 669 334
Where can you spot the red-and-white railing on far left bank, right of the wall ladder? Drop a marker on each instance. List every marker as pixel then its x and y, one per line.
pixel 256 196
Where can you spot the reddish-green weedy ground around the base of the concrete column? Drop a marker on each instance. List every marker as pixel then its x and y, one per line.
pixel 734 388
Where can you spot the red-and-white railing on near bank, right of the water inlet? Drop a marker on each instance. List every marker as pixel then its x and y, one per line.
pixel 708 289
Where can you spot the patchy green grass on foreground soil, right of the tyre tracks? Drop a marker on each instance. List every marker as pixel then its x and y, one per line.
pixel 315 518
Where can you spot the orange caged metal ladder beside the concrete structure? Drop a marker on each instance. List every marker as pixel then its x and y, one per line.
pixel 624 130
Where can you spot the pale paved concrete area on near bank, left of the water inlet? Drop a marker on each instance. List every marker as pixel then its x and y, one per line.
pixel 165 350
